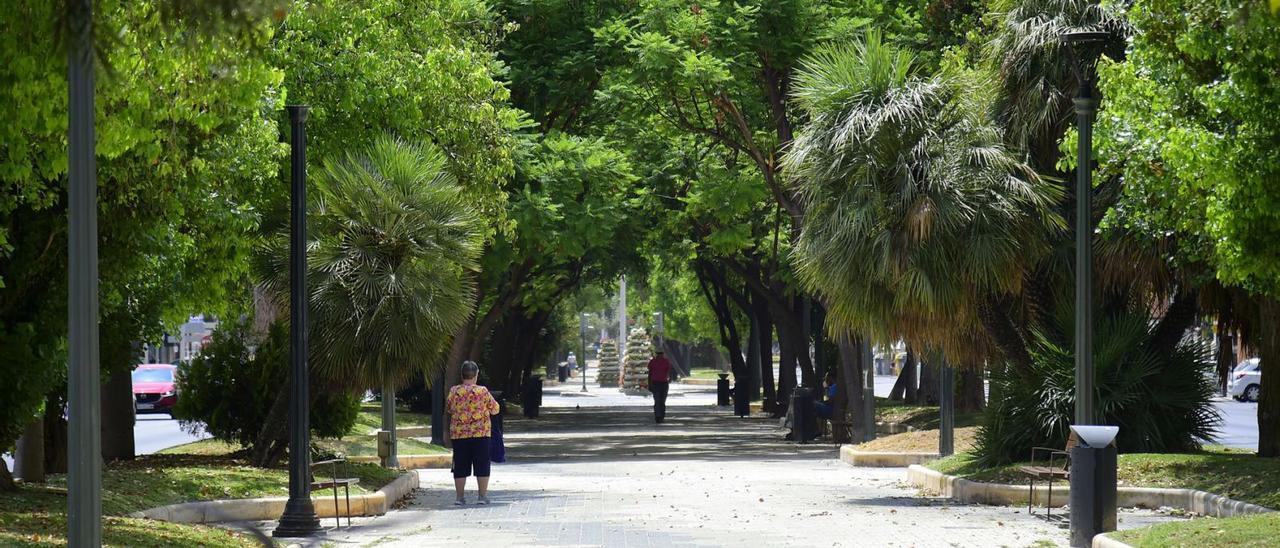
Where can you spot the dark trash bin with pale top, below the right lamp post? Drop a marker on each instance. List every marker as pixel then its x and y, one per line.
pixel 1094 483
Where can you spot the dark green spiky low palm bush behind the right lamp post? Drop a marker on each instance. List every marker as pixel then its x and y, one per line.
pixel 1159 398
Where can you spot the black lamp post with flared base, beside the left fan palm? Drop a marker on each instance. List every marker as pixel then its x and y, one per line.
pixel 300 514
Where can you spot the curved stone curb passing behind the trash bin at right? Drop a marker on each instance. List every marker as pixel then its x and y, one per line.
pixel 1002 495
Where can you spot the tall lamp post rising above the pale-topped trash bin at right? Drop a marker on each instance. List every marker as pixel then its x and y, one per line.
pixel 1085 48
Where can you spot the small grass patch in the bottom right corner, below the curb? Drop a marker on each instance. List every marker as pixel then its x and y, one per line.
pixel 1258 531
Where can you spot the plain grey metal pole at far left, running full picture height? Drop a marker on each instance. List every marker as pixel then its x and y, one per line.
pixel 85 440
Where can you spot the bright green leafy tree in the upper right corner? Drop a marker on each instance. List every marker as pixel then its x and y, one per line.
pixel 1190 130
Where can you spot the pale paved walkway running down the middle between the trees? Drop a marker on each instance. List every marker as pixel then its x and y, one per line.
pixel 586 476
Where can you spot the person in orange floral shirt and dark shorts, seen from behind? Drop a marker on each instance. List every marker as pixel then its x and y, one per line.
pixel 470 408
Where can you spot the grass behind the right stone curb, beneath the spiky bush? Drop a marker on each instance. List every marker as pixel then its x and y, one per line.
pixel 1231 473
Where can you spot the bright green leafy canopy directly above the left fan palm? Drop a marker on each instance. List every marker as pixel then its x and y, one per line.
pixel 423 71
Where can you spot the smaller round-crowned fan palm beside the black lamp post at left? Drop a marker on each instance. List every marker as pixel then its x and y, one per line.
pixel 392 243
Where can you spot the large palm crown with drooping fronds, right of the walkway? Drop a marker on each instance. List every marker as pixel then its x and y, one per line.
pixel 917 212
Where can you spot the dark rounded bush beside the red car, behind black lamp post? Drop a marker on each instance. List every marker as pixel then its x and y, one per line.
pixel 230 389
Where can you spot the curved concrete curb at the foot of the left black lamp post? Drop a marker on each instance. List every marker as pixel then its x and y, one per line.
pixel 272 508
